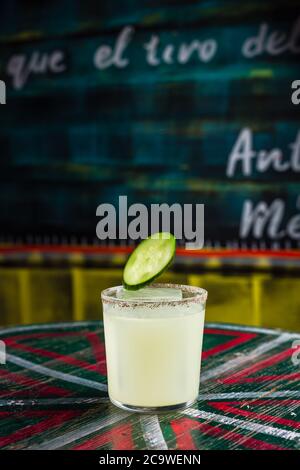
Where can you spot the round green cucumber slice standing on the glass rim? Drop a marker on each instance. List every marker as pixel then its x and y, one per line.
pixel 150 258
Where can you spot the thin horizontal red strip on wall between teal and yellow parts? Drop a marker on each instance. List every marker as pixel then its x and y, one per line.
pixel 89 249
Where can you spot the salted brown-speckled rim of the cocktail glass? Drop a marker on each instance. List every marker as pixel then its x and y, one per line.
pixel 195 295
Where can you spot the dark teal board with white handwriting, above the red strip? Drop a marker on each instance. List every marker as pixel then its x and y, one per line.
pixel 162 101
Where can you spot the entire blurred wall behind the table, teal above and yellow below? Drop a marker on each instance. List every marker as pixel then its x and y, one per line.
pixel 163 101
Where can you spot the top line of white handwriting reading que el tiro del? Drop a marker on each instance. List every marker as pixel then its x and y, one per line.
pixel 155 52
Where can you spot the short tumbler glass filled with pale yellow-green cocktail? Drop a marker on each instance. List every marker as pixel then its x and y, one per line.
pixel 153 348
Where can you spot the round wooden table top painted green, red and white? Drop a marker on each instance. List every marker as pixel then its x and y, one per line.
pixel 53 393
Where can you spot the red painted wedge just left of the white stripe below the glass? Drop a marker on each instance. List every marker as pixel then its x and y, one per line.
pixel 119 438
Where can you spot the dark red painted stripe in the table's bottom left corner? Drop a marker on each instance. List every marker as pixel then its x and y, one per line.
pixel 37 428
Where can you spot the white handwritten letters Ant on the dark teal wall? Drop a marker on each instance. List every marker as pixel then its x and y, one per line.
pixel 244 155
